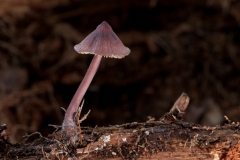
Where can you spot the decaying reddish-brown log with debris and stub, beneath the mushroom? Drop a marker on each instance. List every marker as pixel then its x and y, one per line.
pixel 169 138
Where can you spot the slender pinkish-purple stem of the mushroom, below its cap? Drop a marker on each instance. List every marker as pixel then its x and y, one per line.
pixel 78 96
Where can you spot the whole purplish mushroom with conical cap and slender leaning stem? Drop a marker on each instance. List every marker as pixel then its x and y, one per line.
pixel 101 42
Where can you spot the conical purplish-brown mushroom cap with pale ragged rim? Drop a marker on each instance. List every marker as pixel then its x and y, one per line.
pixel 103 41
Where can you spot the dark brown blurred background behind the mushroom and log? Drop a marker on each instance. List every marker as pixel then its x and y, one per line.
pixel 176 46
